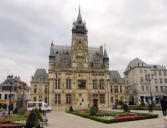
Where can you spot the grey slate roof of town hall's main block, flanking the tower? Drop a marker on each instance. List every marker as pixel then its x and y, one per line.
pixel 58 50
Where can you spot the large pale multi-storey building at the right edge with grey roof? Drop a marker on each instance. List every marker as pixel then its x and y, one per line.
pixel 145 82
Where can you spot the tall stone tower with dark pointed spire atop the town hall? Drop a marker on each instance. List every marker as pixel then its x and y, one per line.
pixel 79 47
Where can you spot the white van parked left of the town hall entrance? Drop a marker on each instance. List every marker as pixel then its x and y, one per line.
pixel 39 105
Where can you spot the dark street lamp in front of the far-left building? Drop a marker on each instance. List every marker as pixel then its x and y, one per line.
pixel 11 80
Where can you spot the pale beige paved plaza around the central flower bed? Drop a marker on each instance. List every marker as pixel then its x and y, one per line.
pixel 60 119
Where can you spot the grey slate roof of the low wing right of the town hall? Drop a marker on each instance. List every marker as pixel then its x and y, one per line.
pixel 115 74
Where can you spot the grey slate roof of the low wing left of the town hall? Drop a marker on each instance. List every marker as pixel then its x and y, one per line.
pixel 38 73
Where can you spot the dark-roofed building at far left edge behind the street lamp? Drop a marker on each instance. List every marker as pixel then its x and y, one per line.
pixel 17 90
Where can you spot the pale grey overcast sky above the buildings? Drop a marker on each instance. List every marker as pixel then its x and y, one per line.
pixel 128 28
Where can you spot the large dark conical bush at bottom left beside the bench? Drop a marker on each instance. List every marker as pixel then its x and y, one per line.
pixel 32 120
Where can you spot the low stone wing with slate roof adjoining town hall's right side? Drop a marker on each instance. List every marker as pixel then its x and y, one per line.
pixel 117 87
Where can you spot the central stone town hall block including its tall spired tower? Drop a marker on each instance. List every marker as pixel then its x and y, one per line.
pixel 78 74
